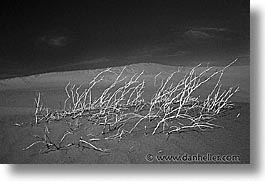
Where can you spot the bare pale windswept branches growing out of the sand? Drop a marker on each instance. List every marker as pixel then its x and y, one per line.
pixel 121 109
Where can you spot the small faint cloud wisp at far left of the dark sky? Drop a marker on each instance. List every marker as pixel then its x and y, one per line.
pixel 58 41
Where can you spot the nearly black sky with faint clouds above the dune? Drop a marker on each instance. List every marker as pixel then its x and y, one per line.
pixel 41 36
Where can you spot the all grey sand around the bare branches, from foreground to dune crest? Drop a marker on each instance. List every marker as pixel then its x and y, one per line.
pixel 17 106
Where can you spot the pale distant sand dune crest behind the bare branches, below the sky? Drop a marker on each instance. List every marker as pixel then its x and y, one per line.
pixel 235 75
